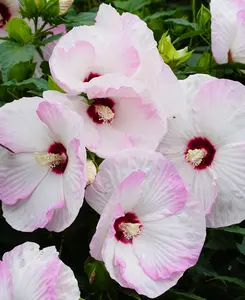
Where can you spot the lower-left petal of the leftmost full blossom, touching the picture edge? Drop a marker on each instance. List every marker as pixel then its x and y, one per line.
pixel 19 176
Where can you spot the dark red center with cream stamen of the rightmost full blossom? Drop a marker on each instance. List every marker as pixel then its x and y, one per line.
pixel 200 153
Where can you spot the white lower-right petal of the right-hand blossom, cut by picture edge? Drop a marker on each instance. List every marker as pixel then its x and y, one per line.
pixel 229 168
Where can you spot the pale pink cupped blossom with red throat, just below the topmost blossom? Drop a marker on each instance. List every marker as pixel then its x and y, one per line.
pixel 118 114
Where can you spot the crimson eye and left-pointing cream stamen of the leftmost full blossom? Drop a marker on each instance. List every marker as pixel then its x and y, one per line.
pixel 56 158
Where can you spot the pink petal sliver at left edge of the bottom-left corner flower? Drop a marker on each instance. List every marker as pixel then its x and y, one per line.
pixel 6 284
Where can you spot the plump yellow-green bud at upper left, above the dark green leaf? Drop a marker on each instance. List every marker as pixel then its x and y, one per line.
pixel 19 30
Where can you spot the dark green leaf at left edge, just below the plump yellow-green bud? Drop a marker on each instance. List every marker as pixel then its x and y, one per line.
pixel 11 54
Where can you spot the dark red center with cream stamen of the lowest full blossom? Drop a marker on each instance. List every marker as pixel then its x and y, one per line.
pixel 127 228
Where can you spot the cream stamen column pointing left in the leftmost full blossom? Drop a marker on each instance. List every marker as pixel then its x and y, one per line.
pixel 49 160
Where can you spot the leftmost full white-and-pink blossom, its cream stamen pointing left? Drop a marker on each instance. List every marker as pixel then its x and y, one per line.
pixel 43 178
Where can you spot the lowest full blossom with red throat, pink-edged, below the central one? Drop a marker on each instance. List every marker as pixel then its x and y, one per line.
pixel 150 230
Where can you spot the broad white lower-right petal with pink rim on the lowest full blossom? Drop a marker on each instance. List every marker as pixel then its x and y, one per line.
pixel 172 244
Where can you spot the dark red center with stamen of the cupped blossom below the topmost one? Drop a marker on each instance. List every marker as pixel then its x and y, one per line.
pixel 101 111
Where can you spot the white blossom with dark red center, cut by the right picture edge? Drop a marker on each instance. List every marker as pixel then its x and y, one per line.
pixel 206 143
